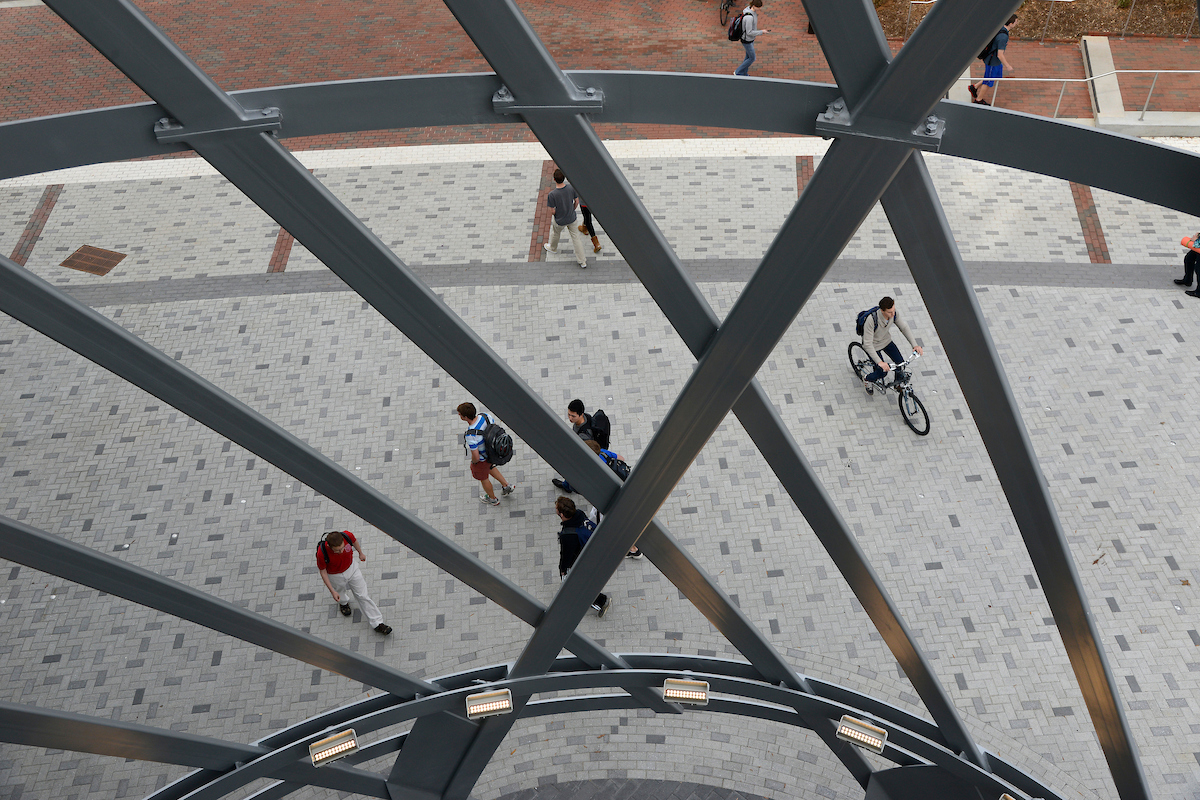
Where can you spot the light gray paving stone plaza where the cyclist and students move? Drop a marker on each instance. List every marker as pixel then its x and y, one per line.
pixel 1101 359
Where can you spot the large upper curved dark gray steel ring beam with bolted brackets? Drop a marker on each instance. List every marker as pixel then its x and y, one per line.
pixel 1027 142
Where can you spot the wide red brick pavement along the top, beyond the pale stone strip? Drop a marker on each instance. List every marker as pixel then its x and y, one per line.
pixel 244 44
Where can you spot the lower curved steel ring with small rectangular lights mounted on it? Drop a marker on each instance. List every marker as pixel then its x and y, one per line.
pixel 909 737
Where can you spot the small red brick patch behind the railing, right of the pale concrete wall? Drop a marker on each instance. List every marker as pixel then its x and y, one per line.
pixel 1180 93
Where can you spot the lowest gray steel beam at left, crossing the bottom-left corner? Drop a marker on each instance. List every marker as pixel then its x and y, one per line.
pixel 38 727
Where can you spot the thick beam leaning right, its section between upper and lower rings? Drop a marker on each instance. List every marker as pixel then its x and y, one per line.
pixel 842 193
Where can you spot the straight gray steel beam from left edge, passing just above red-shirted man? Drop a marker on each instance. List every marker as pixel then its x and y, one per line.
pixel 27 298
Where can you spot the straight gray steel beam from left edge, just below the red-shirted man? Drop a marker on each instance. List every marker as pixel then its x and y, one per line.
pixel 63 558
